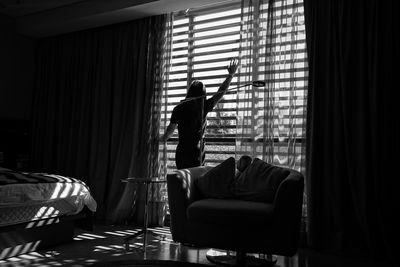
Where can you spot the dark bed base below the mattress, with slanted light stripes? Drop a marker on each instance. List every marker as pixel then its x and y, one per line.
pixel 41 234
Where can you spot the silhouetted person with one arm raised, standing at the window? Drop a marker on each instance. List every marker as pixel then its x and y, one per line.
pixel 190 118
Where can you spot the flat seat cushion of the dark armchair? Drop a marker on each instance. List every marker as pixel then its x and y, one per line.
pixel 232 212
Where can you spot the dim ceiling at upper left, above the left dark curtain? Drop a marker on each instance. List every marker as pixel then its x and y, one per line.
pixel 39 18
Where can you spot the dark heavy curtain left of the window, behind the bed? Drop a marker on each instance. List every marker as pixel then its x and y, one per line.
pixel 92 111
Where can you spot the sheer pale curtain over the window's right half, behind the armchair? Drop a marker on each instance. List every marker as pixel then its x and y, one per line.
pixel 271 119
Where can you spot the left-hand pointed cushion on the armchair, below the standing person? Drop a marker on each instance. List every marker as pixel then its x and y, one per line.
pixel 217 182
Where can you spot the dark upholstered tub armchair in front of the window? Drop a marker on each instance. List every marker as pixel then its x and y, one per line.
pixel 234 223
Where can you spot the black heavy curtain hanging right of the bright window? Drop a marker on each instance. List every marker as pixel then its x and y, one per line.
pixel 353 127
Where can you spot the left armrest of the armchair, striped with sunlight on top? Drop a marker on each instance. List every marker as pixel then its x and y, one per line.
pixel 182 192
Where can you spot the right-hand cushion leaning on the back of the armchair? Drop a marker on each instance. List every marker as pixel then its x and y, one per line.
pixel 259 181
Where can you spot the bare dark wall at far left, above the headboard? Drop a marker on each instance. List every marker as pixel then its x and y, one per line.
pixel 16 71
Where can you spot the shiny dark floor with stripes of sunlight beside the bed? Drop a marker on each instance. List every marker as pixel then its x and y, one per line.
pixel 105 244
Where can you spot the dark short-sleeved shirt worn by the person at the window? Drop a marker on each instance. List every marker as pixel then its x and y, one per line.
pixel 188 117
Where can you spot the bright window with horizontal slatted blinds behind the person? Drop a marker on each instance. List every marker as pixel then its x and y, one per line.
pixel 204 41
